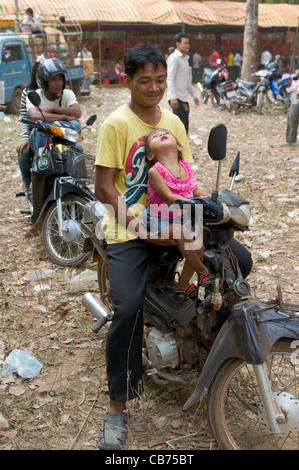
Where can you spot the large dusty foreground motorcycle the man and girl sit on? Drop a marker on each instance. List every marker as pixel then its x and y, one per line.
pixel 251 366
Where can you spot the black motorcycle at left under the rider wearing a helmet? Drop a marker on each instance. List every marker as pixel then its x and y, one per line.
pixel 59 191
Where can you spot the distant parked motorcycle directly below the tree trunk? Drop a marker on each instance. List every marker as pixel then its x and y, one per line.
pixel 253 94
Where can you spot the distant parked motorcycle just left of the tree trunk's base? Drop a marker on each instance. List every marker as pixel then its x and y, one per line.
pixel 218 88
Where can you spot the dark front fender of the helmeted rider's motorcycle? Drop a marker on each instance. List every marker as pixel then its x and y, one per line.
pixel 73 187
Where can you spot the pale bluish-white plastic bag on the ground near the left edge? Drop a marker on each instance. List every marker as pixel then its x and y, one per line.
pixel 24 364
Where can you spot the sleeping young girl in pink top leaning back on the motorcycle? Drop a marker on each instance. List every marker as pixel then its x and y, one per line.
pixel 171 178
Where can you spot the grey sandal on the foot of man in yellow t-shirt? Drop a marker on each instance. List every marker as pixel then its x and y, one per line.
pixel 113 434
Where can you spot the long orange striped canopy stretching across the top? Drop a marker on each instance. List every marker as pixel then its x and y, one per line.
pixel 159 12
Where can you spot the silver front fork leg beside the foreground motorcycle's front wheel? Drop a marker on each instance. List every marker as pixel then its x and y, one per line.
pixel 274 414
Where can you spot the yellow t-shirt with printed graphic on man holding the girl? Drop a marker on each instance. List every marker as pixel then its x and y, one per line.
pixel 121 145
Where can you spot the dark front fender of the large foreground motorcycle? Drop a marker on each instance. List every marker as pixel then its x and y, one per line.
pixel 249 335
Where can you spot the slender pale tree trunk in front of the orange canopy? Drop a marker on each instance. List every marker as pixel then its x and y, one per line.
pixel 250 51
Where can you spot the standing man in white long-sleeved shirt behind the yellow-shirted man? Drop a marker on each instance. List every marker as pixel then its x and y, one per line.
pixel 179 81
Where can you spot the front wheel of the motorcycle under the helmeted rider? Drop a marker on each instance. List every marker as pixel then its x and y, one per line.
pixel 67 250
